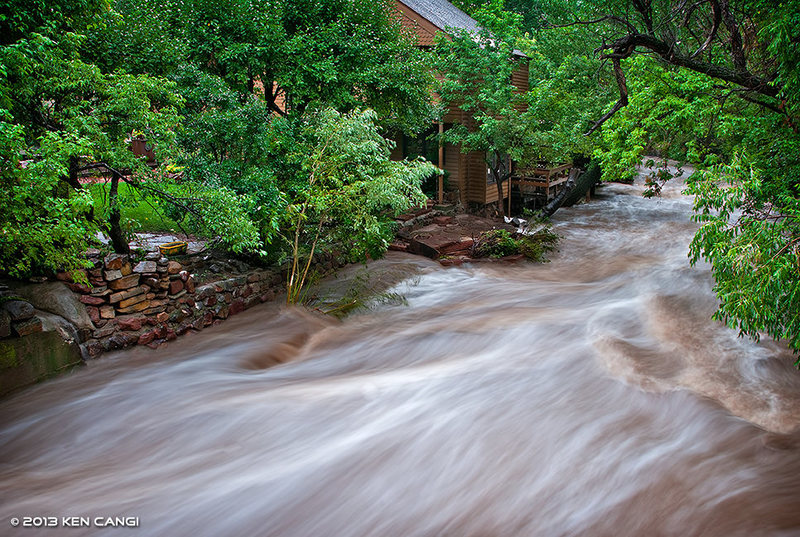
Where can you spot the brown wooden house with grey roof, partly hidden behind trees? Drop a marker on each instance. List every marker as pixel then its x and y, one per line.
pixel 468 173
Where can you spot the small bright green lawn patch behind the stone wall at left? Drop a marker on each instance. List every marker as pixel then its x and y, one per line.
pixel 140 213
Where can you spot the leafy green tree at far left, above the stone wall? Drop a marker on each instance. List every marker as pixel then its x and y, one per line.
pixel 60 114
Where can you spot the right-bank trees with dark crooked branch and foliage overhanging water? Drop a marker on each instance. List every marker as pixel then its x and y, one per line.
pixel 724 89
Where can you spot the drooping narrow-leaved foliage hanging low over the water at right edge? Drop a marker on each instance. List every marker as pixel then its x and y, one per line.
pixel 753 244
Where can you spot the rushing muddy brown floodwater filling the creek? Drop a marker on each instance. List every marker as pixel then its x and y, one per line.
pixel 588 396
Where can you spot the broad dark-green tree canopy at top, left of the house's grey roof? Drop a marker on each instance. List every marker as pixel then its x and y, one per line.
pixel 348 54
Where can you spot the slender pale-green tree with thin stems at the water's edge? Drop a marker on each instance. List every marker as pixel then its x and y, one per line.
pixel 351 190
